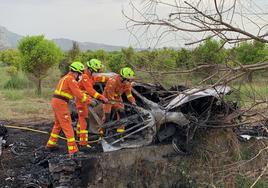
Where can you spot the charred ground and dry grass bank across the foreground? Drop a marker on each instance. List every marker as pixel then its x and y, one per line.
pixel 218 159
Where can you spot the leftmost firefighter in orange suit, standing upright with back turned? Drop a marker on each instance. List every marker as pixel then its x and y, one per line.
pixel 66 90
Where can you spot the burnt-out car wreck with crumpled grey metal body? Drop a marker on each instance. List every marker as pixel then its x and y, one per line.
pixel 161 115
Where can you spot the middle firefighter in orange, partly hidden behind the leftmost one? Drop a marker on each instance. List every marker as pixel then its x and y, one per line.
pixel 86 85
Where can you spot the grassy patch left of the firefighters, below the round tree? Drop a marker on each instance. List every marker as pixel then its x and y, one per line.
pixel 24 103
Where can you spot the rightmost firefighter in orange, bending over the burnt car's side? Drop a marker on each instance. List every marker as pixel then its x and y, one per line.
pixel 115 87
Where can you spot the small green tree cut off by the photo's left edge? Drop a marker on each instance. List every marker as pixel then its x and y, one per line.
pixel 11 57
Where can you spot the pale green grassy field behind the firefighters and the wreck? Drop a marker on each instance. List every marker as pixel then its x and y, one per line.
pixel 24 103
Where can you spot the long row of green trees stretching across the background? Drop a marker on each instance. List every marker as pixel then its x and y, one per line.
pixel 35 55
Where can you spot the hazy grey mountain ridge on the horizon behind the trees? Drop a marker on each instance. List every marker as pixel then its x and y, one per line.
pixel 9 39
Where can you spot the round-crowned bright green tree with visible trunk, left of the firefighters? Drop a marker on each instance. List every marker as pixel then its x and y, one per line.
pixel 38 55
